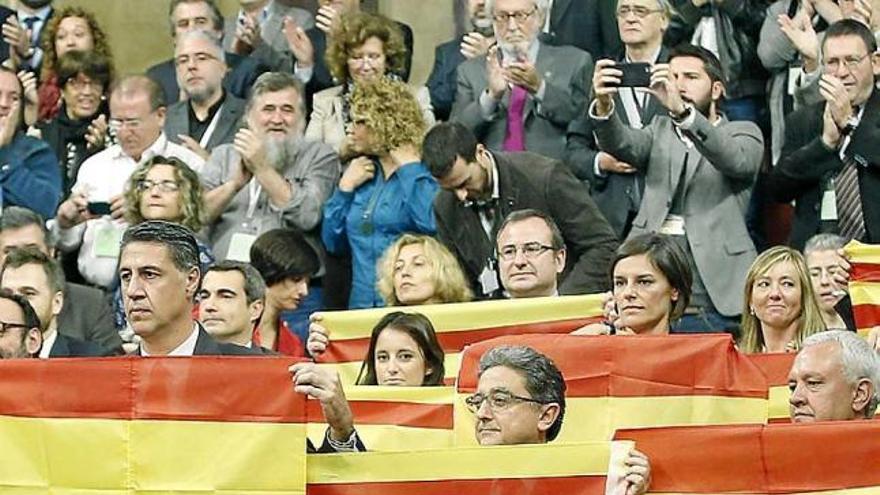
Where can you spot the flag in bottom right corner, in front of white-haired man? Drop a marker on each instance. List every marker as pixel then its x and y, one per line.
pixel 837 457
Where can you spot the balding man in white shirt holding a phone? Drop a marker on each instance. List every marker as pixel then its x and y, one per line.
pixel 137 113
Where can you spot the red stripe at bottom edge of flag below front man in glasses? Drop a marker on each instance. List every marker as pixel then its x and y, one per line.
pixel 570 485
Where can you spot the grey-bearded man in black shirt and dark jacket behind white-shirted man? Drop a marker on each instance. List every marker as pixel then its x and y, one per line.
pixel 210 115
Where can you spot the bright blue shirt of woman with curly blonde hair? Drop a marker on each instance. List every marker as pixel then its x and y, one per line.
pixel 403 203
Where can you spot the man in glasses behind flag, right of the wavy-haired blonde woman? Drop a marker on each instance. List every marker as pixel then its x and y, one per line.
pixel 531 254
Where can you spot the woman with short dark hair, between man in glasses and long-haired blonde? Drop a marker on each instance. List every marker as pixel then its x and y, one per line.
pixel 651 281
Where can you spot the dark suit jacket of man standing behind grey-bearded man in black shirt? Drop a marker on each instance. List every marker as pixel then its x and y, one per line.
pixel 243 72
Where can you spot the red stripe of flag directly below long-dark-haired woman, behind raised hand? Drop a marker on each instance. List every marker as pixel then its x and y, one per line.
pixel 392 413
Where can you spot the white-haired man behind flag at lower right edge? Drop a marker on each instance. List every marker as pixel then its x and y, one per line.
pixel 835 376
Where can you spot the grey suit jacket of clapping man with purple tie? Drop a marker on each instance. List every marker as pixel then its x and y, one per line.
pixel 565 70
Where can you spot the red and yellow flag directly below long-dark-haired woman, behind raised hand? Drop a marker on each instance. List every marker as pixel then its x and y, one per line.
pixel 394 418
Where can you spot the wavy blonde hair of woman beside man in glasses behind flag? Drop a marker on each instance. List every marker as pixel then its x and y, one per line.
pixel 450 284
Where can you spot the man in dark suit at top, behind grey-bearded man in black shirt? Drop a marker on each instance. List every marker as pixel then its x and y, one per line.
pixel 188 15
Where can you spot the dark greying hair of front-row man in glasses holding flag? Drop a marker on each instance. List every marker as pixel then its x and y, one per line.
pixel 544 381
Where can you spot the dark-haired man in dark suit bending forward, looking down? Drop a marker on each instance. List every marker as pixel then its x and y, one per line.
pixel 482 187
